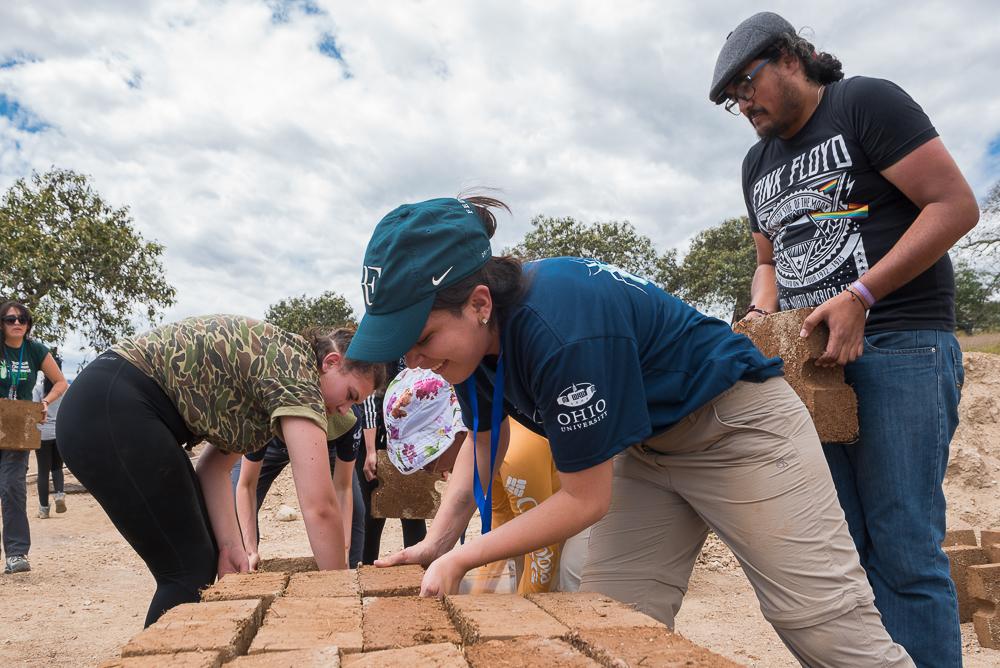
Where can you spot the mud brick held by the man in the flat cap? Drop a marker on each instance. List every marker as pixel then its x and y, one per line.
pixel 831 402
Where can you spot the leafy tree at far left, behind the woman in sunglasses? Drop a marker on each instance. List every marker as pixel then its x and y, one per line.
pixel 76 261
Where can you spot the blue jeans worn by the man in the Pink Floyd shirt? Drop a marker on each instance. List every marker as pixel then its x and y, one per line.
pixel 908 385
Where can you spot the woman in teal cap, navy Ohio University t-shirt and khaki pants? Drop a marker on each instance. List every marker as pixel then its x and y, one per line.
pixel 662 423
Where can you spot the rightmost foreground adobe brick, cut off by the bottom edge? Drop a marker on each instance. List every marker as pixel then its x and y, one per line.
pixel 649 646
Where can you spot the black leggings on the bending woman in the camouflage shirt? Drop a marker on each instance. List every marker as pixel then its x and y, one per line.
pixel 120 435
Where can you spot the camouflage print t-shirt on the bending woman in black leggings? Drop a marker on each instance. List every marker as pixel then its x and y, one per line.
pixel 231 377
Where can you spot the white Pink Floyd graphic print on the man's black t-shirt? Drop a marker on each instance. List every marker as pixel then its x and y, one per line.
pixel 804 208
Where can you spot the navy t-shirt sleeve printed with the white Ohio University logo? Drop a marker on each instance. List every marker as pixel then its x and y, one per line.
pixel 593 404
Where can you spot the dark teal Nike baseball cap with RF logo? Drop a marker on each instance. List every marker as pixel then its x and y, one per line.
pixel 416 250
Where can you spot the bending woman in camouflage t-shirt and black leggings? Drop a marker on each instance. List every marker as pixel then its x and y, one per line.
pixel 228 380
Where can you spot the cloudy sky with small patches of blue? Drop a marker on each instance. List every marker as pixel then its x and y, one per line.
pixel 261 140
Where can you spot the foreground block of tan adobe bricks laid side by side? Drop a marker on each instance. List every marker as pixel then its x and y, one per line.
pixel 373 617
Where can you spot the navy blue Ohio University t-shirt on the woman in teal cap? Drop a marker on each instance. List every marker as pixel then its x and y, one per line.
pixel 597 359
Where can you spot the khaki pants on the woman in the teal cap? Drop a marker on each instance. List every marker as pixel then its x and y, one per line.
pixel 749 466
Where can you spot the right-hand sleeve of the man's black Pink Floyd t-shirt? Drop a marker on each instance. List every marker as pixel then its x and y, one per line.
pixel 888 122
